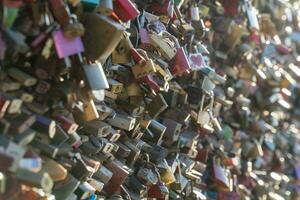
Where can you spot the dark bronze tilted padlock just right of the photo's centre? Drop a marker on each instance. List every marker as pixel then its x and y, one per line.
pixel 156 106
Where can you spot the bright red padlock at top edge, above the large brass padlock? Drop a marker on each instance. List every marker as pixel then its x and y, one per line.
pixel 125 10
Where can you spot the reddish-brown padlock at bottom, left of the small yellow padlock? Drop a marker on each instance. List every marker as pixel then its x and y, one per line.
pixel 120 173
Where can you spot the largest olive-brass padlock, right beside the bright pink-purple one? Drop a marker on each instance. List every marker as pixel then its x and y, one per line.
pixel 111 33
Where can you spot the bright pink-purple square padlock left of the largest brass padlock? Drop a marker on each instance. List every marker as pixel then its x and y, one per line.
pixel 66 46
